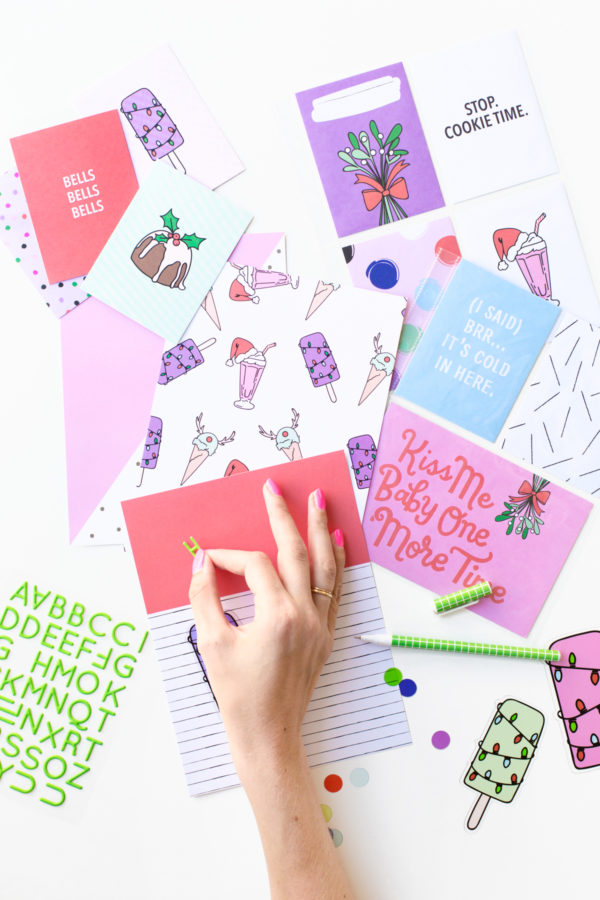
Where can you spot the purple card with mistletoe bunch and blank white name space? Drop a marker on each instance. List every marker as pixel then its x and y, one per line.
pixel 370 149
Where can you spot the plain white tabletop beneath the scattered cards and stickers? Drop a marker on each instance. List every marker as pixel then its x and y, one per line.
pixel 136 834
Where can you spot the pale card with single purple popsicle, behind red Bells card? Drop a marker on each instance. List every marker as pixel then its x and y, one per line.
pixel 165 120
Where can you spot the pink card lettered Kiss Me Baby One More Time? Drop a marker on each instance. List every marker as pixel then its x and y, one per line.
pixel 446 513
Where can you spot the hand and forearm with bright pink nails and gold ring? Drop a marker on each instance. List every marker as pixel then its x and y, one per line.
pixel 263 675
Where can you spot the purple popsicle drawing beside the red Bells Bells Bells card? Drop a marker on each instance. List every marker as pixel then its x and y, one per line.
pixel 155 129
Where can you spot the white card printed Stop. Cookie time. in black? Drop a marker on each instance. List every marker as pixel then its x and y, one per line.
pixel 481 117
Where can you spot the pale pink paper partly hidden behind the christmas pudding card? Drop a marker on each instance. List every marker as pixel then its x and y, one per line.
pixel 110 370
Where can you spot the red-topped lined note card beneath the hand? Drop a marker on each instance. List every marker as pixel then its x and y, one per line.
pixel 353 709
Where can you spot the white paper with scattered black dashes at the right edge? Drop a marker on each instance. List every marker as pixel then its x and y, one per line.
pixel 556 422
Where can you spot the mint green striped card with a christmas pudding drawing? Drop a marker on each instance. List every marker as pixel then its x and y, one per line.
pixel 166 252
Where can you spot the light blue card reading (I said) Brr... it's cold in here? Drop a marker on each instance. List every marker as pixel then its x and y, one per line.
pixel 477 351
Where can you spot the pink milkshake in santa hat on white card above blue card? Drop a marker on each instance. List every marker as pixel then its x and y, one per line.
pixel 530 252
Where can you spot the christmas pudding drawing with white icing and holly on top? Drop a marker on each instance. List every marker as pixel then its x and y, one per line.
pixel 165 256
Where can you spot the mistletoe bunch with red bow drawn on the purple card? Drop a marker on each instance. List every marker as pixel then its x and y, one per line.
pixel 378 166
